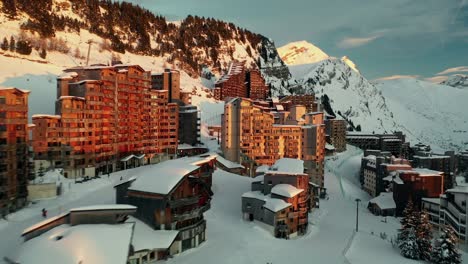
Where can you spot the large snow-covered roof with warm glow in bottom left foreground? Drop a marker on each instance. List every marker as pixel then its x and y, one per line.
pixel 65 244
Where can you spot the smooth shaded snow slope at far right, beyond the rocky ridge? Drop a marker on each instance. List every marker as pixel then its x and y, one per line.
pixel 430 113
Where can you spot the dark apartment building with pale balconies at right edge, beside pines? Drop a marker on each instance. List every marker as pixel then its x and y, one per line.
pixel 450 209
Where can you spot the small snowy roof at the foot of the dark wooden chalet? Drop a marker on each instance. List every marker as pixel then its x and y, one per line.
pixel 146 238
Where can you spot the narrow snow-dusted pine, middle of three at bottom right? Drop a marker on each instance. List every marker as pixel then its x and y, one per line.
pixel 424 235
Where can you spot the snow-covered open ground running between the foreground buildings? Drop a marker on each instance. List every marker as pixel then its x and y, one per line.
pixel 230 239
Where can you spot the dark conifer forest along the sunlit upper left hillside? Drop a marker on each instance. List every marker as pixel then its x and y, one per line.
pixel 128 27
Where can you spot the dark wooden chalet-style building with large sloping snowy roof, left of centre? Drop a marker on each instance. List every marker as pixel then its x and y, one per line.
pixel 172 195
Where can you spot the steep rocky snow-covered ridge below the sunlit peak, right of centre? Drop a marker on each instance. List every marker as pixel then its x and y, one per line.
pixel 351 95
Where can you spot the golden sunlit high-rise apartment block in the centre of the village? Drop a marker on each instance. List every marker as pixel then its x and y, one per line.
pixel 251 137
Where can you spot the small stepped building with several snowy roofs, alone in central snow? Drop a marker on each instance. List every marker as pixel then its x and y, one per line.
pixel 280 199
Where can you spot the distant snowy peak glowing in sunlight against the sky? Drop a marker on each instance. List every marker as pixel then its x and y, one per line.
pixel 301 52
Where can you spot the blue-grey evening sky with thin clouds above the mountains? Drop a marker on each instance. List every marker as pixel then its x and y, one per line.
pixel 383 37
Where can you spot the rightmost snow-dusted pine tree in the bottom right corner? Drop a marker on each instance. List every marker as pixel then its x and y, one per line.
pixel 445 249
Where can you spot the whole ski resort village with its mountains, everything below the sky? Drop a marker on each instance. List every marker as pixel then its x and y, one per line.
pixel 127 138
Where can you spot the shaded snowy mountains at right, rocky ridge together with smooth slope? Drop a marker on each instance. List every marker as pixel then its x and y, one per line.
pixel 424 111
